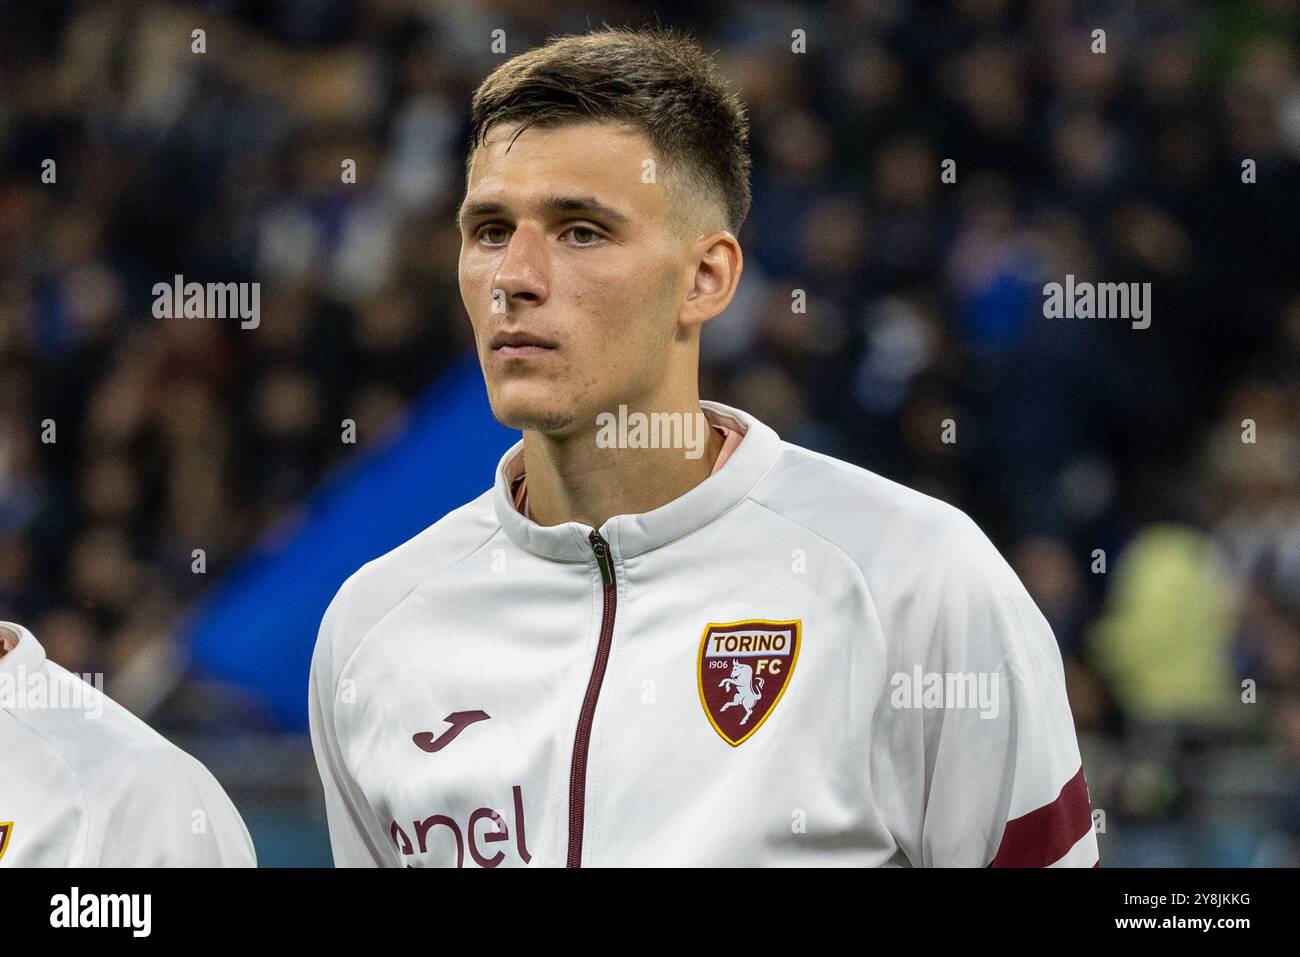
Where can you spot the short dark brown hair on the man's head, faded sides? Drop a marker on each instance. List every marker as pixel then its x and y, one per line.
pixel 656 79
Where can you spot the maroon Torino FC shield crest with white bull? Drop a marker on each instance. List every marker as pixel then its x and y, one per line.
pixel 744 670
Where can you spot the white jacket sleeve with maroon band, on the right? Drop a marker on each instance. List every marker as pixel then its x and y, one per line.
pixel 995 780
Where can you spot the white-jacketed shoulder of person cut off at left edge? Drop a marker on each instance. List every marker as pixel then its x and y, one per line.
pixel 85 783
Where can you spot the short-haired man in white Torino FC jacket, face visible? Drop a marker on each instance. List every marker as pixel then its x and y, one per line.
pixel 696 647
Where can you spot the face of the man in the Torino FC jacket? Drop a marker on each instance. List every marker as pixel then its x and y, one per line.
pixel 573 271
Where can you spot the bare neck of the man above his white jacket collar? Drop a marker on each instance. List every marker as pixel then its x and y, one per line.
pixel 574 479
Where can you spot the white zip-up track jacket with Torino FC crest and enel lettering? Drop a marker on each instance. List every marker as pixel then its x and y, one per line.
pixel 798 662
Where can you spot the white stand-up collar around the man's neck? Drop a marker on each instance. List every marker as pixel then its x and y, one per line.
pixel 632 535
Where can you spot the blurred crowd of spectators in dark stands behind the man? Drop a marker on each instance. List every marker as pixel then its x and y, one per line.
pixel 1145 483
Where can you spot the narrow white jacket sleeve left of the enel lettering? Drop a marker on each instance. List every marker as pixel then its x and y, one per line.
pixel 356 834
